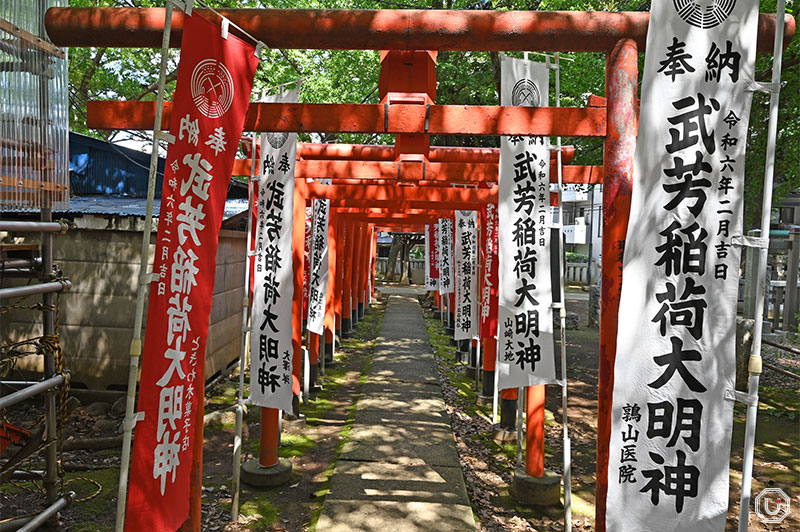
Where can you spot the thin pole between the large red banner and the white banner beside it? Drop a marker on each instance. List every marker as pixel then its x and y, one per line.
pixel 237 438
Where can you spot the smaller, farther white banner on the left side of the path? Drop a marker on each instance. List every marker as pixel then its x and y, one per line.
pixel 318 276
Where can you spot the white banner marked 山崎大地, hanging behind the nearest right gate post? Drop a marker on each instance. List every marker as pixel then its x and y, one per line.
pixel 525 314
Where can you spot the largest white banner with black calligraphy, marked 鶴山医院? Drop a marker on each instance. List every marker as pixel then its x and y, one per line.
pixel 675 365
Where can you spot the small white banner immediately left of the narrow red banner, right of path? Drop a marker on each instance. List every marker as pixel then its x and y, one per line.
pixel 466 267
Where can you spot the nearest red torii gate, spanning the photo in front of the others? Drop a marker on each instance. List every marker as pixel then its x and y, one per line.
pixel 619 35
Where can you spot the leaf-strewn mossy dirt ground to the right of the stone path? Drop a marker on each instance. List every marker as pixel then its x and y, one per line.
pixel 488 467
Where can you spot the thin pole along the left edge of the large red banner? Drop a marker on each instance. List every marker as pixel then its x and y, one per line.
pixel 144 282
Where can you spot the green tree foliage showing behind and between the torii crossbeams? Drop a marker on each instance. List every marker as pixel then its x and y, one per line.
pixel 351 76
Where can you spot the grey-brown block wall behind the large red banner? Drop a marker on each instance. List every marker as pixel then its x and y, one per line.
pixel 96 316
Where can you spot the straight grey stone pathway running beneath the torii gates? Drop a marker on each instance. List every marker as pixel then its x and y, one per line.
pixel 399 469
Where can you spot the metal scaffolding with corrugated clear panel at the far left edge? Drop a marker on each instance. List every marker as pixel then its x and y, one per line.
pixel 34 174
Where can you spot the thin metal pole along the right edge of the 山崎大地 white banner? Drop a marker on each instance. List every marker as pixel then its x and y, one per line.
pixel 567 474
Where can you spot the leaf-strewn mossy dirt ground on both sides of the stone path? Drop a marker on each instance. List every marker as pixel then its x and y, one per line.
pixel 488 467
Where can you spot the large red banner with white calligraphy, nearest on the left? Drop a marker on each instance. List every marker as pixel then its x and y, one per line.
pixel 215 77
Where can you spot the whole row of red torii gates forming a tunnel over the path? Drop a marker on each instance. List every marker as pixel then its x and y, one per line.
pixel 367 189
